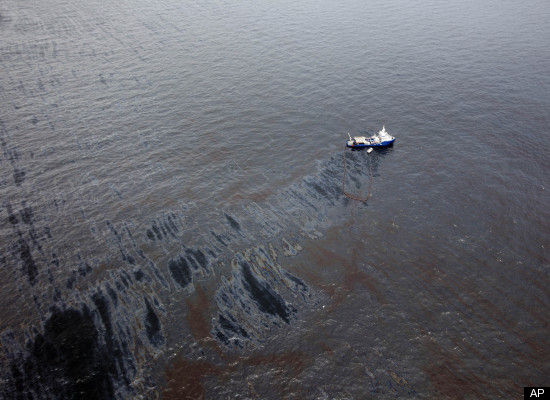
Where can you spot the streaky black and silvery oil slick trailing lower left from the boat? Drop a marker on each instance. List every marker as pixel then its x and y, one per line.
pixel 98 322
